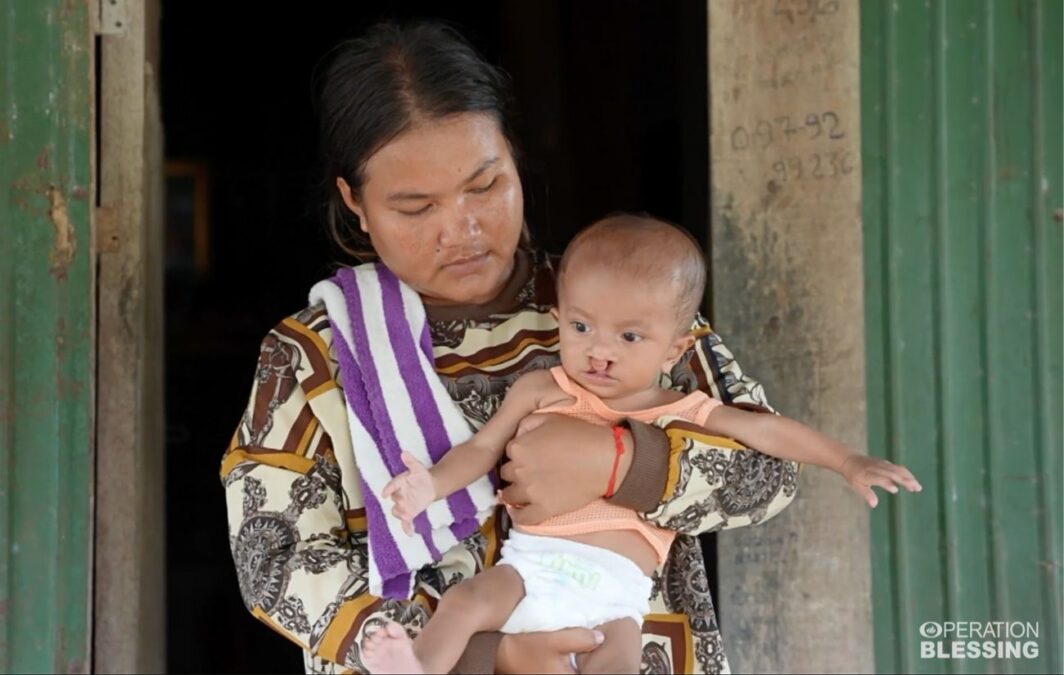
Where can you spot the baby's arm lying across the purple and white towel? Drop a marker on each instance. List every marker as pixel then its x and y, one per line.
pixel 414 490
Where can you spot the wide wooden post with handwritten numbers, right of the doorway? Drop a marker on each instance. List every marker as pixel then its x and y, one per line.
pixel 788 294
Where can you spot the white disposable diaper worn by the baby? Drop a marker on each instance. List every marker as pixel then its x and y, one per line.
pixel 573 585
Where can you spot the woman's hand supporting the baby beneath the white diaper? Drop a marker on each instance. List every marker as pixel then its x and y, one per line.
pixel 544 652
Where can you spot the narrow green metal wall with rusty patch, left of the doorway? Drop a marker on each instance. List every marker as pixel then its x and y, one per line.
pixel 46 314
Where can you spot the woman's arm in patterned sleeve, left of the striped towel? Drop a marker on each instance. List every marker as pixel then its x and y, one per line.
pixel 296 518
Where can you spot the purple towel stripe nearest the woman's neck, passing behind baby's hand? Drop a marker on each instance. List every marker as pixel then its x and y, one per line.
pixel 429 419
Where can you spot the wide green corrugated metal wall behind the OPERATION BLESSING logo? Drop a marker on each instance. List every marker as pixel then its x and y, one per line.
pixel 962 155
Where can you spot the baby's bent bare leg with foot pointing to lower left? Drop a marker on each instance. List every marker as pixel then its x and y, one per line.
pixel 481 604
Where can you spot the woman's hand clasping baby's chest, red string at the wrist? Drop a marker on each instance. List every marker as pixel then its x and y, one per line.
pixel 559 465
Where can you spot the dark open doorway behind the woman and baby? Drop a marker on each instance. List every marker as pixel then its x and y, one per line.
pixel 612 113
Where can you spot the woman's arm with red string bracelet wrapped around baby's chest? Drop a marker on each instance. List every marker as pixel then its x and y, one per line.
pixel 673 472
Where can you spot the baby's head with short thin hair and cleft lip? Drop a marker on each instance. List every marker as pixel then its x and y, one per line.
pixel 629 288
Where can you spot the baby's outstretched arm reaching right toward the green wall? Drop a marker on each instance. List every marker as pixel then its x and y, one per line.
pixel 789 440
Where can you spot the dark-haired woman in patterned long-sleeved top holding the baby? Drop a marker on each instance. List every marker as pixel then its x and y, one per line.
pixel 414 136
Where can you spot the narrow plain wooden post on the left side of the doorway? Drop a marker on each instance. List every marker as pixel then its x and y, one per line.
pixel 130 517
